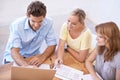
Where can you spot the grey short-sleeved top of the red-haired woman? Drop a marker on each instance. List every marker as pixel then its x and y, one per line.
pixel 107 69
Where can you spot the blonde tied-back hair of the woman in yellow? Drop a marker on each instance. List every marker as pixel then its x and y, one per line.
pixel 80 13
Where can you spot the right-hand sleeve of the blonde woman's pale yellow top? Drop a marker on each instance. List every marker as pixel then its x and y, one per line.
pixel 86 40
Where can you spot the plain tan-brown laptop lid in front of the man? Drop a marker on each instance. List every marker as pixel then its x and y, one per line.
pixel 24 73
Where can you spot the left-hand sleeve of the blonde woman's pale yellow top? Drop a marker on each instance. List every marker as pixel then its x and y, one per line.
pixel 64 32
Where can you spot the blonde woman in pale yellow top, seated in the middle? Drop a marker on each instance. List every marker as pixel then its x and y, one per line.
pixel 76 35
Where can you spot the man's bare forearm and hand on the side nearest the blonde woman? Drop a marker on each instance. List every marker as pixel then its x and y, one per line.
pixel 39 59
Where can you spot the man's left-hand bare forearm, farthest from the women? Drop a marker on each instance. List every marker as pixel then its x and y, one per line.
pixel 18 57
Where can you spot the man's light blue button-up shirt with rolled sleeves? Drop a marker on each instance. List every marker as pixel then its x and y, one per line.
pixel 29 41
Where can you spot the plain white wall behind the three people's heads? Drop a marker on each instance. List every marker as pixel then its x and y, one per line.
pixel 97 10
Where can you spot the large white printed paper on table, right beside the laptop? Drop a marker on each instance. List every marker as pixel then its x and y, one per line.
pixel 68 73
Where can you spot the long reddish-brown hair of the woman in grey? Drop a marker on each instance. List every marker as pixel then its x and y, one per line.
pixel 111 34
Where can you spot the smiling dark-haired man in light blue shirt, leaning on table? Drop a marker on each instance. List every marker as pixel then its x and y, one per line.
pixel 27 35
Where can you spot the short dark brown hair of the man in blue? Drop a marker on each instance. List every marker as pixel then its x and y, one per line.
pixel 36 8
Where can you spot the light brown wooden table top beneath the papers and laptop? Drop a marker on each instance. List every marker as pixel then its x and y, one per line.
pixel 5 70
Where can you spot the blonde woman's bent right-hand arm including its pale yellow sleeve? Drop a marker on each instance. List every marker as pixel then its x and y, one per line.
pixel 85 44
